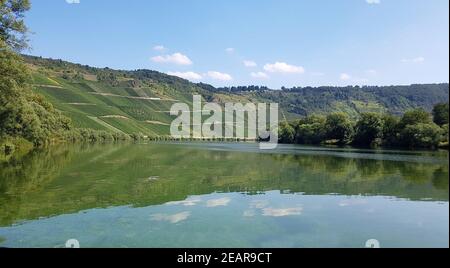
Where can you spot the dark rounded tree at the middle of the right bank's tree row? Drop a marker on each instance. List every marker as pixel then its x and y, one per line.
pixel 369 130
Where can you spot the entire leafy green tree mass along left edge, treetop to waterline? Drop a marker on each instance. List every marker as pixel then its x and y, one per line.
pixel 23 113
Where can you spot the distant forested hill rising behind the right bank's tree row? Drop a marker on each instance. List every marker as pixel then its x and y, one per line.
pixel 351 99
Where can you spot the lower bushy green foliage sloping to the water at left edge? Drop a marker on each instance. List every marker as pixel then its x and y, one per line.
pixel 23 113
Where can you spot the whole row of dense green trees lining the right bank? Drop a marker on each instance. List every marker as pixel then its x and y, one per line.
pixel 416 129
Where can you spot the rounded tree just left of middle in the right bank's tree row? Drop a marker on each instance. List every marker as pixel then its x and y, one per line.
pixel 339 127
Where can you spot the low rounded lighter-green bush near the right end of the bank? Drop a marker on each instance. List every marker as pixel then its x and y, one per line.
pixel 421 135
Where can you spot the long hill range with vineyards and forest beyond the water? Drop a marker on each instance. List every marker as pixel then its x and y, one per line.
pixel 139 101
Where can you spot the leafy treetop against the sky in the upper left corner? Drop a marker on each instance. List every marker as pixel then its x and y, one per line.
pixel 12 27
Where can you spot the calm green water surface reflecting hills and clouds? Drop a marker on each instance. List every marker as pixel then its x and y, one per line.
pixel 224 195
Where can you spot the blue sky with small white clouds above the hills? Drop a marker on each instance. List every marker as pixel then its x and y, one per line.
pixel 261 42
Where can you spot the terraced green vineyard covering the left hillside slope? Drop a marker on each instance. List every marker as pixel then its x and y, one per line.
pixel 92 104
